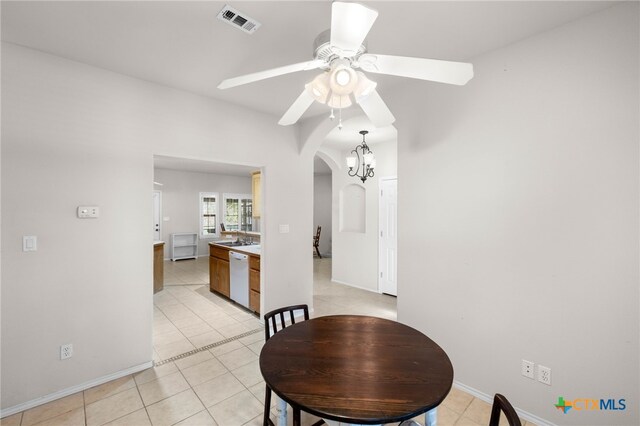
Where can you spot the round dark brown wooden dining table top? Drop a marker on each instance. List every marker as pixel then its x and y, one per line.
pixel 356 369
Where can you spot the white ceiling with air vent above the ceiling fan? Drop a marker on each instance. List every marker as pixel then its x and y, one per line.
pixel 181 43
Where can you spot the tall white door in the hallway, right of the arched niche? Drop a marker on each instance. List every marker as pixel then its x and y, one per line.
pixel 388 244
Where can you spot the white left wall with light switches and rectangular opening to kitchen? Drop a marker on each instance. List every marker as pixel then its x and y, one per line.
pixel 74 134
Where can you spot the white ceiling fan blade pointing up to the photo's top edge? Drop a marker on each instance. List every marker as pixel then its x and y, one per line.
pixel 350 24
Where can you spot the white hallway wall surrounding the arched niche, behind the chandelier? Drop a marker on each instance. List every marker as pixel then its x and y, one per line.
pixel 355 254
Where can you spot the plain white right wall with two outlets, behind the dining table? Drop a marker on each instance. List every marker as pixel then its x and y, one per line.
pixel 519 207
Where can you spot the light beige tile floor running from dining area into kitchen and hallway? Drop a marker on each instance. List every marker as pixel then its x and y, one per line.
pixel 220 385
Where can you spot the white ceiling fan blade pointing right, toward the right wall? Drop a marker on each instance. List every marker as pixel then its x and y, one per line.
pixel 425 69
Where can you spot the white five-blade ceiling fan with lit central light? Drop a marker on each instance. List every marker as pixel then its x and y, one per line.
pixel 340 52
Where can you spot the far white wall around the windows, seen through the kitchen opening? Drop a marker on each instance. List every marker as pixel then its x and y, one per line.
pixel 181 201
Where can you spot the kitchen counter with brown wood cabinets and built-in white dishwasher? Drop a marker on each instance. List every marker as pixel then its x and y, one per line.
pixel 220 273
